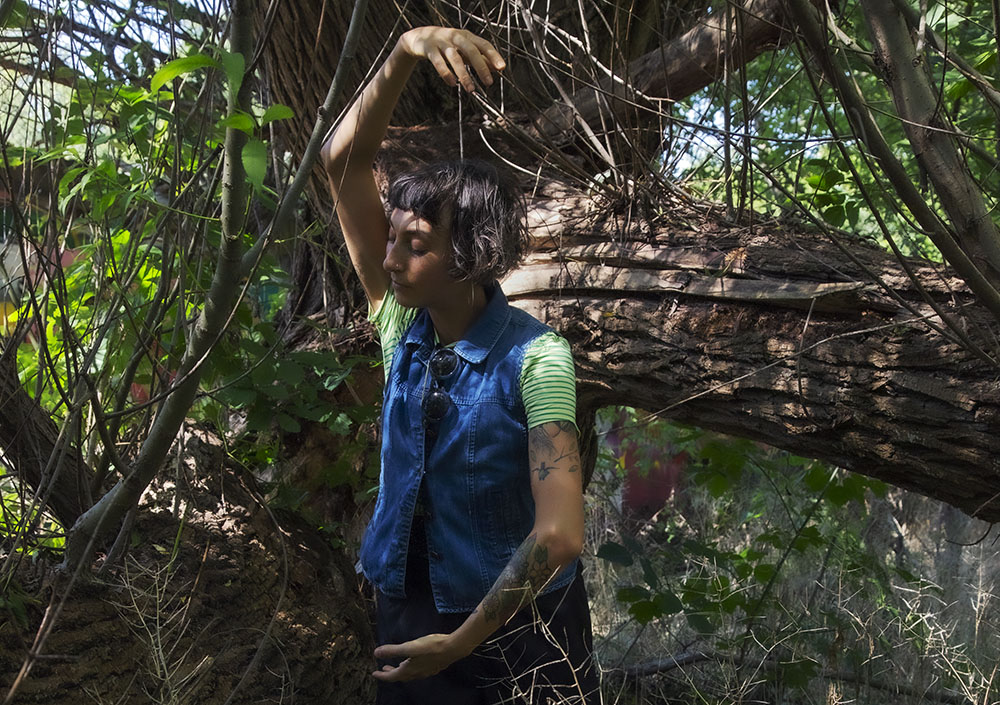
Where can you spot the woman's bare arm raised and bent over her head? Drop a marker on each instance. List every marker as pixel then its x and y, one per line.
pixel 349 152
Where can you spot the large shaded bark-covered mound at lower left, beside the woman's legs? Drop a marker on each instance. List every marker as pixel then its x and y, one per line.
pixel 191 625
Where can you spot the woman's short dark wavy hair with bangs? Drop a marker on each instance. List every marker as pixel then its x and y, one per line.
pixel 485 208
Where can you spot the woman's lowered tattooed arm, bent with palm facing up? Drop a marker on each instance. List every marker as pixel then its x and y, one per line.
pixel 555 540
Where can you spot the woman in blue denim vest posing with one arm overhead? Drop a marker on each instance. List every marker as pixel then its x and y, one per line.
pixel 474 543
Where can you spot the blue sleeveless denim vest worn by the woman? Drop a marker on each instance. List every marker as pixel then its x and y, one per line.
pixel 477 493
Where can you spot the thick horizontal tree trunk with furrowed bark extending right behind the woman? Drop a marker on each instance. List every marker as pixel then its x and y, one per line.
pixel 712 327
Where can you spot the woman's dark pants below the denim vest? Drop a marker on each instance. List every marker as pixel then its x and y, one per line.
pixel 544 653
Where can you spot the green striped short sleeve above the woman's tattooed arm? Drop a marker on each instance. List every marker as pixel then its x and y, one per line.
pixel 548 381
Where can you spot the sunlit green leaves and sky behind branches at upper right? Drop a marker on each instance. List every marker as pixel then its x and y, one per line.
pixel 790 147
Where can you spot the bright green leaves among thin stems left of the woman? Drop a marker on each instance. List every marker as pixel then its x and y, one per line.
pixel 124 158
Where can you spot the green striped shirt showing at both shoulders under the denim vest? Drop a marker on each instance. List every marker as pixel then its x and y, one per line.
pixel 548 378
